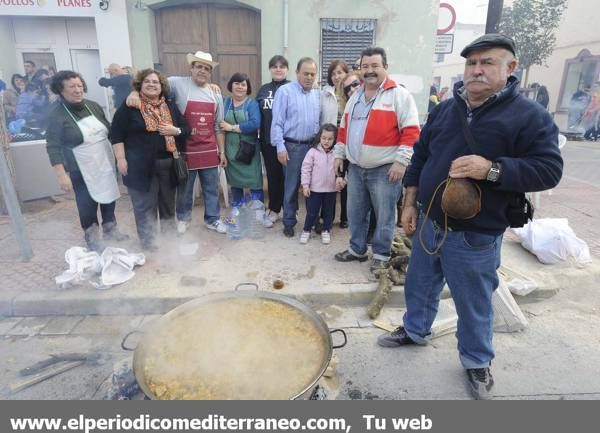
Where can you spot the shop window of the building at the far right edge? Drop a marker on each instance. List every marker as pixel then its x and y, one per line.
pixel 579 73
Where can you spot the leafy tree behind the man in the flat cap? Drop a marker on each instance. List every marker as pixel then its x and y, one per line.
pixel 531 24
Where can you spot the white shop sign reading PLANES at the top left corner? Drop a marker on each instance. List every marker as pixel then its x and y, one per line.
pixel 62 8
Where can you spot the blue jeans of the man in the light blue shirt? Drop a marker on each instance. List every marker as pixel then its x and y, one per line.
pixel 296 154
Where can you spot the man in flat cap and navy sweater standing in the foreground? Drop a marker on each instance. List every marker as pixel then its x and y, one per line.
pixel 493 144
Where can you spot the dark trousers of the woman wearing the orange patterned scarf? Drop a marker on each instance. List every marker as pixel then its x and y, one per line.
pixel 158 201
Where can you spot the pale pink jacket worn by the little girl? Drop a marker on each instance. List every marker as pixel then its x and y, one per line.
pixel 317 171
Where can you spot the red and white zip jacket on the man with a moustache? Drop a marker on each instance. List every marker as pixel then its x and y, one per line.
pixel 392 128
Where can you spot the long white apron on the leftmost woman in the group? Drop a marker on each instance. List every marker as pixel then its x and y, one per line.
pixel 96 160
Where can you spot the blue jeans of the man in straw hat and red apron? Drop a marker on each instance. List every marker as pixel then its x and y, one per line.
pixel 209 181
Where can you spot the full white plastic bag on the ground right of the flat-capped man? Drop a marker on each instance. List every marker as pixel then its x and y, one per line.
pixel 553 241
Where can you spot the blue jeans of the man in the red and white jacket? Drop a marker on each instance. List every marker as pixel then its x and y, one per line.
pixel 366 187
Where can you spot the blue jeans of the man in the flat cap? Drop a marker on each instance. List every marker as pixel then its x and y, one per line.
pixel 467 261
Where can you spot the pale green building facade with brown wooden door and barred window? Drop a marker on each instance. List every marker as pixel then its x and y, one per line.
pixel 243 35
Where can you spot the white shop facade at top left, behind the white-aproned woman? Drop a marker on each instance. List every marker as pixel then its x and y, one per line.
pixel 80 35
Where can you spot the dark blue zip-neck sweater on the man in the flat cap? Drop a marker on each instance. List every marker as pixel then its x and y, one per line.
pixel 508 128
